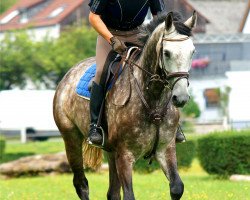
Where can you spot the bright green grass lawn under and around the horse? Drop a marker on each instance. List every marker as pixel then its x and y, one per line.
pixel 198 184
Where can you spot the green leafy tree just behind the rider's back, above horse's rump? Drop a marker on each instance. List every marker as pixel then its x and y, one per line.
pixel 74 45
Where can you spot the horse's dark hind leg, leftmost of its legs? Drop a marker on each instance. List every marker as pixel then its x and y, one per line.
pixel 73 143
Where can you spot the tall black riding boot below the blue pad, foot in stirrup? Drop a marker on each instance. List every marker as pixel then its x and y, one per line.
pixel 96 99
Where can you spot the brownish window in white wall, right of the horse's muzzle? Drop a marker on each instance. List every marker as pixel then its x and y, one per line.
pixel 212 97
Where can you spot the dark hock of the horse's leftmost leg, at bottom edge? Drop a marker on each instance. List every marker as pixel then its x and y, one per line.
pixel 81 187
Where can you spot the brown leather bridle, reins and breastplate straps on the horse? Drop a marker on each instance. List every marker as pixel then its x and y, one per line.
pixel 157 114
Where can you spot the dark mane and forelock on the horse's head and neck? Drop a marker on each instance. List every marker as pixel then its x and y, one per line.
pixel 180 27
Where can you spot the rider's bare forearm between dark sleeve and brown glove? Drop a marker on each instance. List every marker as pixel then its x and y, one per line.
pixel 97 23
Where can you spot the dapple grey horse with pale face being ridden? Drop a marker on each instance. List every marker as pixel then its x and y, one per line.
pixel 141 111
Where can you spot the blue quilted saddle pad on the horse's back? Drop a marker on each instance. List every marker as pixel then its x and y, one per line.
pixel 82 86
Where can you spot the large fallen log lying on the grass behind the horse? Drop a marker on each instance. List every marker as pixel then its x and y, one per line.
pixel 35 165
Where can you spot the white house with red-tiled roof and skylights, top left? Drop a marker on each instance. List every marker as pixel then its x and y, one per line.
pixel 42 18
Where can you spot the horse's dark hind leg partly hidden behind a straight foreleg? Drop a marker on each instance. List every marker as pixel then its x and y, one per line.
pixel 114 183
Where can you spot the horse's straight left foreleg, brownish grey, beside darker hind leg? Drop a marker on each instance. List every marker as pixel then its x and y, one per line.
pixel 124 165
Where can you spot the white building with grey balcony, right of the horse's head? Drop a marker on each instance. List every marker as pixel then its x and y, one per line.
pixel 228 66
